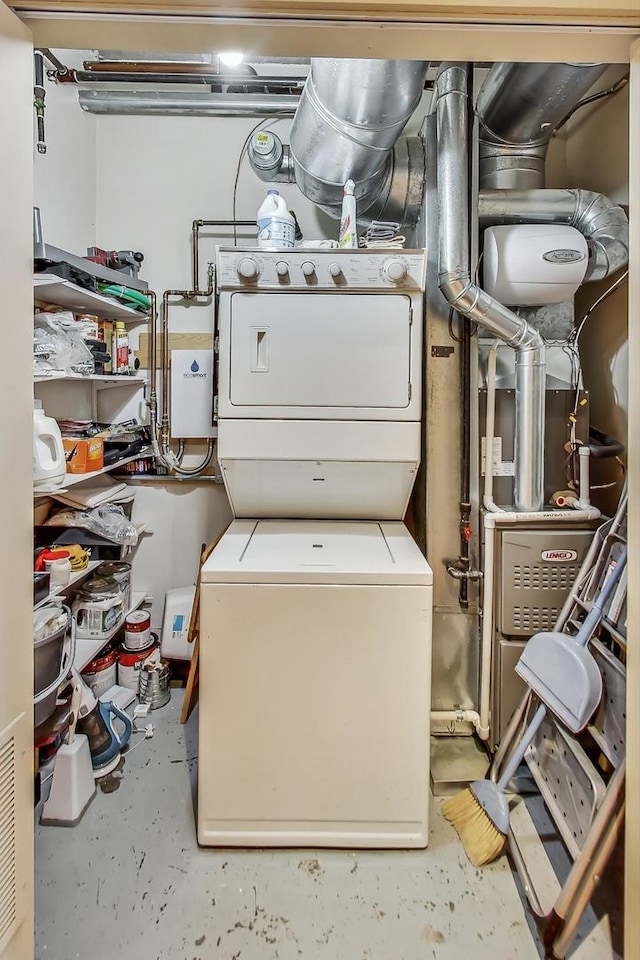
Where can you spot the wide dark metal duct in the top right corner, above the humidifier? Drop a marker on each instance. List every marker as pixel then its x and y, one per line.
pixel 519 108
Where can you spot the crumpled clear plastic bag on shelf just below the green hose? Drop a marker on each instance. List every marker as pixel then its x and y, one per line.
pixel 58 345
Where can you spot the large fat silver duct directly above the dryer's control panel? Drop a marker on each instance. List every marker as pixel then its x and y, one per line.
pixel 347 125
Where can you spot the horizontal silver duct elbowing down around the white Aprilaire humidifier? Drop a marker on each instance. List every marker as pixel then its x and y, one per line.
pixel 603 224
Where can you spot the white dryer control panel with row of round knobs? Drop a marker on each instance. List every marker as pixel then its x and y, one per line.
pixel 323 269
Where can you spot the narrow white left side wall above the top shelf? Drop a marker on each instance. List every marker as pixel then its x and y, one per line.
pixel 65 176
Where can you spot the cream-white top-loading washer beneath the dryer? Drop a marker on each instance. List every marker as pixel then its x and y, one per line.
pixel 315 662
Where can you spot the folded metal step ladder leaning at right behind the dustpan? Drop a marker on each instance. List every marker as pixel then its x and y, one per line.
pixel 580 778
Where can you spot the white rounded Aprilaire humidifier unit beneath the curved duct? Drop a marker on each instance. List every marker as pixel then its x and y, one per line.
pixel 530 264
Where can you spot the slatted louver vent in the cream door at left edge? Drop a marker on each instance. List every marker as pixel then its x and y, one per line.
pixel 8 886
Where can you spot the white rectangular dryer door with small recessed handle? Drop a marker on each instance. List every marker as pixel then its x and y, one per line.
pixel 319 355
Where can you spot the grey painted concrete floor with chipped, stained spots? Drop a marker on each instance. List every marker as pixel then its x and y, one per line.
pixel 131 882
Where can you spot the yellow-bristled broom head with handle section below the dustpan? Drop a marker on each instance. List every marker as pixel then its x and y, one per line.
pixel 480 813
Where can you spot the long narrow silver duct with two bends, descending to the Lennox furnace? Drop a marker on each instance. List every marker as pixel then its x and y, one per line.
pixel 468 299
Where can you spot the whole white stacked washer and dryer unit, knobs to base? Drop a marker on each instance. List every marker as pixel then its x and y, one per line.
pixel 316 605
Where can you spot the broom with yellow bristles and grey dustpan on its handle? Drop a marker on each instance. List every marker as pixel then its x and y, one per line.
pixel 564 676
